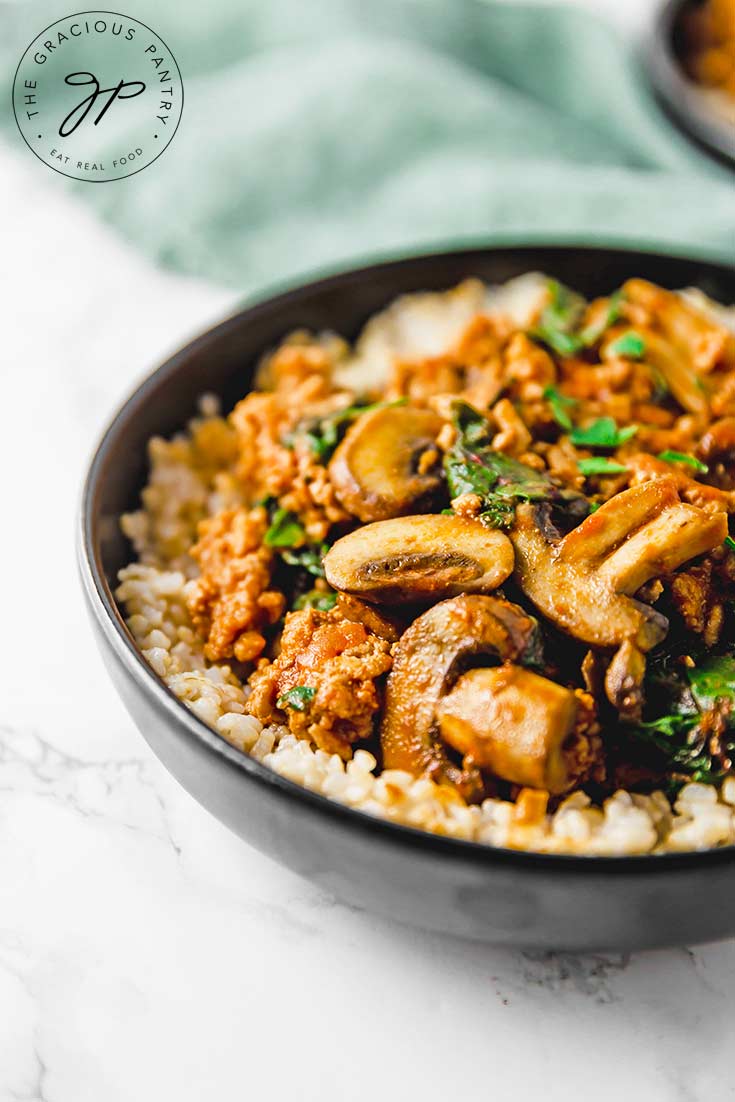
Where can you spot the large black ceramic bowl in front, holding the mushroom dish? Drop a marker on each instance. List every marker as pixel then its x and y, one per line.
pixel 461 888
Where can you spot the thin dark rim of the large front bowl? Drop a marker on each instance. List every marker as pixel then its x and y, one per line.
pixel 110 618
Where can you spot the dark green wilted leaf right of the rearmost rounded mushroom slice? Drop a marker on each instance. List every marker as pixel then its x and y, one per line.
pixel 473 467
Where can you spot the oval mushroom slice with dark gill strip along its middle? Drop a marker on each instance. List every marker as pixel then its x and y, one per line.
pixel 419 558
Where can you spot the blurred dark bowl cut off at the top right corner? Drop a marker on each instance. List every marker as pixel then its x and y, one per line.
pixel 685 102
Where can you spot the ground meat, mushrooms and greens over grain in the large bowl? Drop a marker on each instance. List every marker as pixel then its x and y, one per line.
pixel 472 575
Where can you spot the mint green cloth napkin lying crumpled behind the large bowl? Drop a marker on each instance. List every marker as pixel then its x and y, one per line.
pixel 320 132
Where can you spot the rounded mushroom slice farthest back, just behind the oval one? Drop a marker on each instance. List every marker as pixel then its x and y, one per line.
pixel 388 463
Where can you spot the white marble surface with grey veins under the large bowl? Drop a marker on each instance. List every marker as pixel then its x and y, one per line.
pixel 146 954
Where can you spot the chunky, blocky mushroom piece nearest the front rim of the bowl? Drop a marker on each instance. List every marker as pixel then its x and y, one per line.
pixel 514 723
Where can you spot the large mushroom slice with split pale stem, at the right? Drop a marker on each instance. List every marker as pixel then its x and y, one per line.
pixel 583 582
